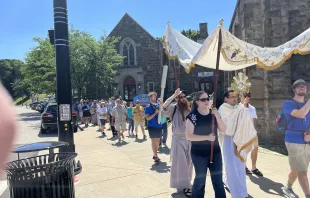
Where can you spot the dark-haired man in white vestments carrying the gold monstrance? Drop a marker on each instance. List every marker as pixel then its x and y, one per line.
pixel 235 178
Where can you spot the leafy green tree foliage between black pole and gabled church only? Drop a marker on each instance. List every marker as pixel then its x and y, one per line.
pixel 93 62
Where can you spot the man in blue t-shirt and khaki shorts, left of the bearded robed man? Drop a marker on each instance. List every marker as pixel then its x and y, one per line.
pixel 151 113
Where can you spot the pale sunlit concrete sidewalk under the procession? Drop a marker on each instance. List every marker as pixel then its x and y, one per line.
pixel 114 170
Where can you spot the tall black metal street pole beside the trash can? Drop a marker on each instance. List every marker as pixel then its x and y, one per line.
pixel 63 77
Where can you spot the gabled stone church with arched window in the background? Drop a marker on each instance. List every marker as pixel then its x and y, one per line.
pixel 141 70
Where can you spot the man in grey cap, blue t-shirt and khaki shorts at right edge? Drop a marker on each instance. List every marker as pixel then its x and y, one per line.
pixel 297 138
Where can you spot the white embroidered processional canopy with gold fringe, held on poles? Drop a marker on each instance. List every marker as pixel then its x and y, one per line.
pixel 235 54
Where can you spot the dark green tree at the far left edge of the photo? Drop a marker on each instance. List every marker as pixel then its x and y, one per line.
pixel 10 73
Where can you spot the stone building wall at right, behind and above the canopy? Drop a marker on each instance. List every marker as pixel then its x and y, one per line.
pixel 270 23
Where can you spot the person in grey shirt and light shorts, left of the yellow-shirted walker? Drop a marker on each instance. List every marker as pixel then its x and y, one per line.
pixel 119 114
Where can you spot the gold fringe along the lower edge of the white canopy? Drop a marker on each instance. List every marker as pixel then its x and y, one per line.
pixel 255 61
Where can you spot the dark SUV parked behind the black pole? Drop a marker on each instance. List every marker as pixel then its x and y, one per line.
pixel 49 119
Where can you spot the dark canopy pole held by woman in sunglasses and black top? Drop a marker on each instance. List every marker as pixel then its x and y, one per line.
pixel 215 82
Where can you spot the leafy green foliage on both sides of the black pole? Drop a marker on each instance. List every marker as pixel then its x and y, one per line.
pixel 92 62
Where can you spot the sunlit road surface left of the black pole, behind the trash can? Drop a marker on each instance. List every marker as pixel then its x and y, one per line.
pixel 28 132
